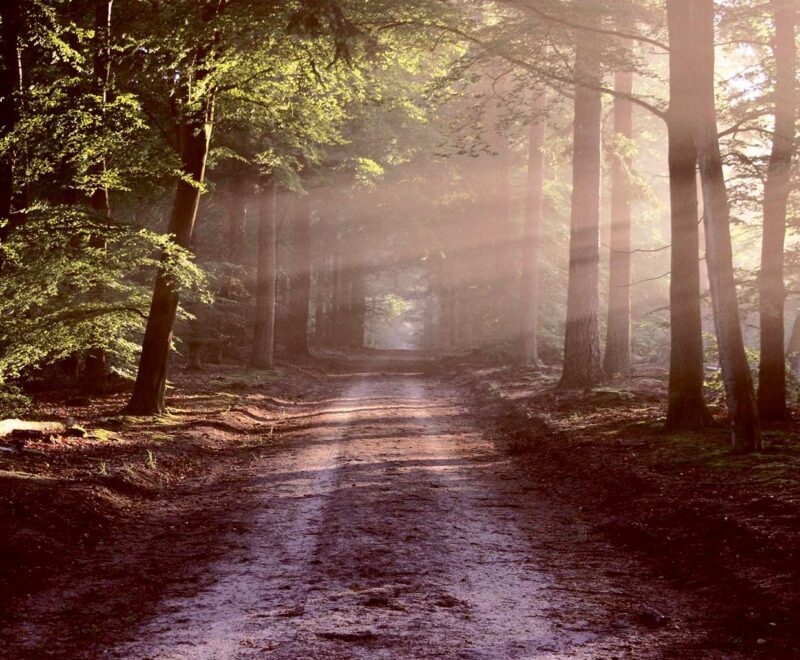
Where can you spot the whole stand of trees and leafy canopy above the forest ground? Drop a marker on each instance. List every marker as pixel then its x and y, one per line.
pixel 411 135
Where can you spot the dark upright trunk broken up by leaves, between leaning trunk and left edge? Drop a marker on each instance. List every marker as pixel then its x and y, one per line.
pixel 96 367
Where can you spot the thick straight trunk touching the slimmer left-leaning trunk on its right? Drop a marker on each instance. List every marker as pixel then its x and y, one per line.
pixel 686 408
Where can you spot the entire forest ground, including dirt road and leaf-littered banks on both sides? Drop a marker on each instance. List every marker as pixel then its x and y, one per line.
pixel 390 507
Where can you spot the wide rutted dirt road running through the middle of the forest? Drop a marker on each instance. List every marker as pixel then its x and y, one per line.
pixel 386 526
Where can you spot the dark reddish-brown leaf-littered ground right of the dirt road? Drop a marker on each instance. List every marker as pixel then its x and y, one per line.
pixel 713 523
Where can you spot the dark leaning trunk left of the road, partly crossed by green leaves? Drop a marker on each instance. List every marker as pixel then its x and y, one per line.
pixel 151 380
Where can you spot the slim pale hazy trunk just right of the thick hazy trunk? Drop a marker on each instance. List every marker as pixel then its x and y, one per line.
pixel 618 329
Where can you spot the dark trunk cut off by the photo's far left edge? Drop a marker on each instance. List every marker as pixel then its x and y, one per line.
pixel 9 110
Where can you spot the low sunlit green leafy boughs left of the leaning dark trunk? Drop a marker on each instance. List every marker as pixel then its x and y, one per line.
pixel 73 282
